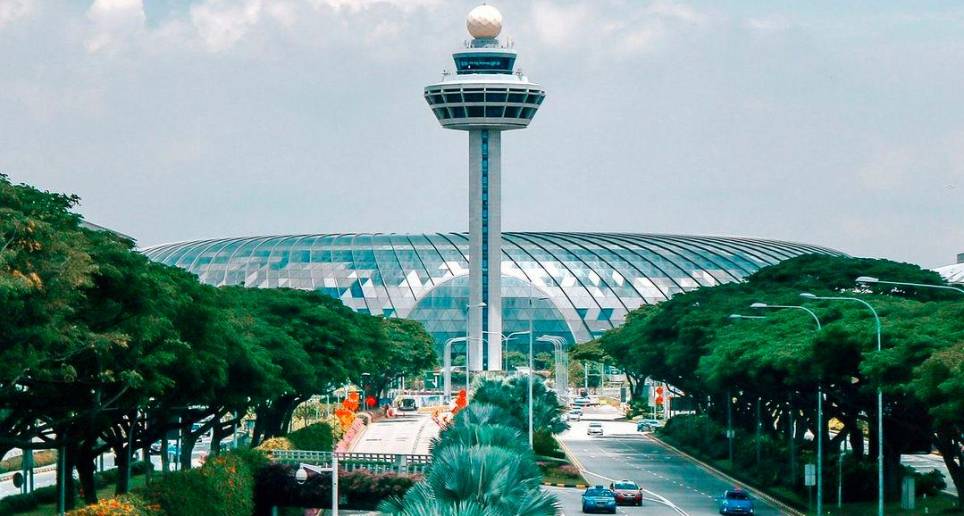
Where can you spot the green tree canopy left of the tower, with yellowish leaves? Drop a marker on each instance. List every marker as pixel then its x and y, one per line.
pixel 101 349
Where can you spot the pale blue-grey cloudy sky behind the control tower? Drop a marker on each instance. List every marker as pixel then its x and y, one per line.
pixel 832 123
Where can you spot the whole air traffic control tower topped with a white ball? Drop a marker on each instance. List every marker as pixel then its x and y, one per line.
pixel 485 97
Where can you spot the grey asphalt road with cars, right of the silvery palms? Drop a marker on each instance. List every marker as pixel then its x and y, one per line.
pixel 673 484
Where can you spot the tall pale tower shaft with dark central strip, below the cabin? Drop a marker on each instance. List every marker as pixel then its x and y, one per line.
pixel 485 249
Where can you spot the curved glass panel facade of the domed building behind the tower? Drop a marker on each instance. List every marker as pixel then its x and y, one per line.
pixel 591 279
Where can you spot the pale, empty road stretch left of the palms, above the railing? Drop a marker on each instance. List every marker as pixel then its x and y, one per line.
pixel 403 434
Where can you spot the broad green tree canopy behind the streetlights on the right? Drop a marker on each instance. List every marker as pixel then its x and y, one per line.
pixel 692 343
